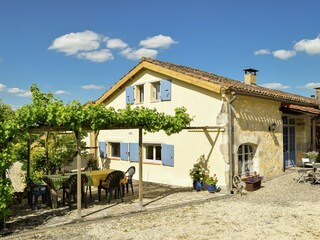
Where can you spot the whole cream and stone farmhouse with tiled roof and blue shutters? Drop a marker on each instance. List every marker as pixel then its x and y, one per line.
pixel 238 126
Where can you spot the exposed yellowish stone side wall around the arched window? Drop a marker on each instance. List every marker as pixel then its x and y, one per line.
pixel 252 118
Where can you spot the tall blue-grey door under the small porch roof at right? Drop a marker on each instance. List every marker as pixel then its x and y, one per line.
pixel 289 142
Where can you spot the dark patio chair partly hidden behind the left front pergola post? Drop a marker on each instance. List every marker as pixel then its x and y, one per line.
pixel 69 189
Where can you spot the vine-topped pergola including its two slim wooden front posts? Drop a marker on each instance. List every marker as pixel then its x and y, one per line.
pixel 46 113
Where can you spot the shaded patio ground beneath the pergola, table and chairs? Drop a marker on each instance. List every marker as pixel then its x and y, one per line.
pixel 24 218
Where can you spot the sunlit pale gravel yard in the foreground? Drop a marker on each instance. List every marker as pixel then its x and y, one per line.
pixel 281 209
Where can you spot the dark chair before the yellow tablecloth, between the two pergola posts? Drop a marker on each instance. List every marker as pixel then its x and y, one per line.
pixel 112 182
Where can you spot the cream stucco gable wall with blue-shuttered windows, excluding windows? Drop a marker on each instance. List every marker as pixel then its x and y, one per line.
pixel 189 145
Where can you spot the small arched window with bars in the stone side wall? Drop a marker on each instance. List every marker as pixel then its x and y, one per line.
pixel 245 156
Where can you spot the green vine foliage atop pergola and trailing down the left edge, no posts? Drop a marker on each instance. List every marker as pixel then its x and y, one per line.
pixel 47 113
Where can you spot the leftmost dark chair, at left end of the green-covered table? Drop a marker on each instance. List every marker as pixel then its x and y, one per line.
pixel 35 190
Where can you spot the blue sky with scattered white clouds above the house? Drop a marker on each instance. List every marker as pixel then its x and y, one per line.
pixel 78 49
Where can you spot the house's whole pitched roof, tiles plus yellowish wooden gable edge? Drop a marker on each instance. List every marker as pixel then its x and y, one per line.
pixel 210 81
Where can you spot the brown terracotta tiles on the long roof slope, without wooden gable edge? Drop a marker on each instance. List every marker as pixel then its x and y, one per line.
pixel 235 85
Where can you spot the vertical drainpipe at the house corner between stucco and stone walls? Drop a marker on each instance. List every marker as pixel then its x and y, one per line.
pixel 230 139
